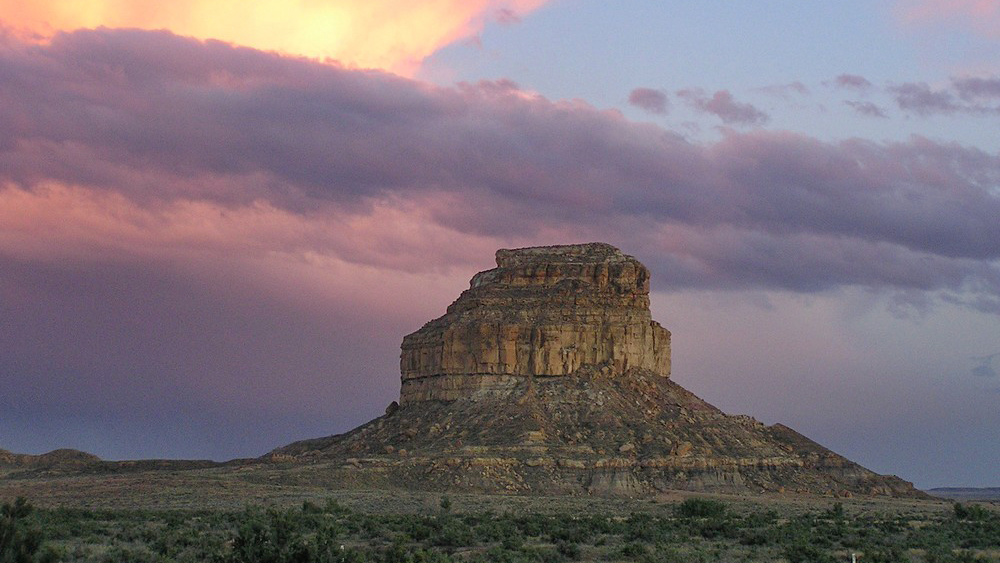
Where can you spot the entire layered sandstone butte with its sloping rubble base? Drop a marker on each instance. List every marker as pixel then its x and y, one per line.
pixel 549 376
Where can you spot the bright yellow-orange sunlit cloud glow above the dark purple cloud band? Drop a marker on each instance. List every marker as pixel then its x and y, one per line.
pixel 394 35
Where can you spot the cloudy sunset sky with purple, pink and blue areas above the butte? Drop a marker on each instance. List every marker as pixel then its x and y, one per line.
pixel 219 219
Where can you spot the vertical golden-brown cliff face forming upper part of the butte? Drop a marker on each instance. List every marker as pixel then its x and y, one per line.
pixel 543 311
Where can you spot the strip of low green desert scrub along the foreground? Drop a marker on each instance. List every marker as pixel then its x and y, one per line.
pixel 699 529
